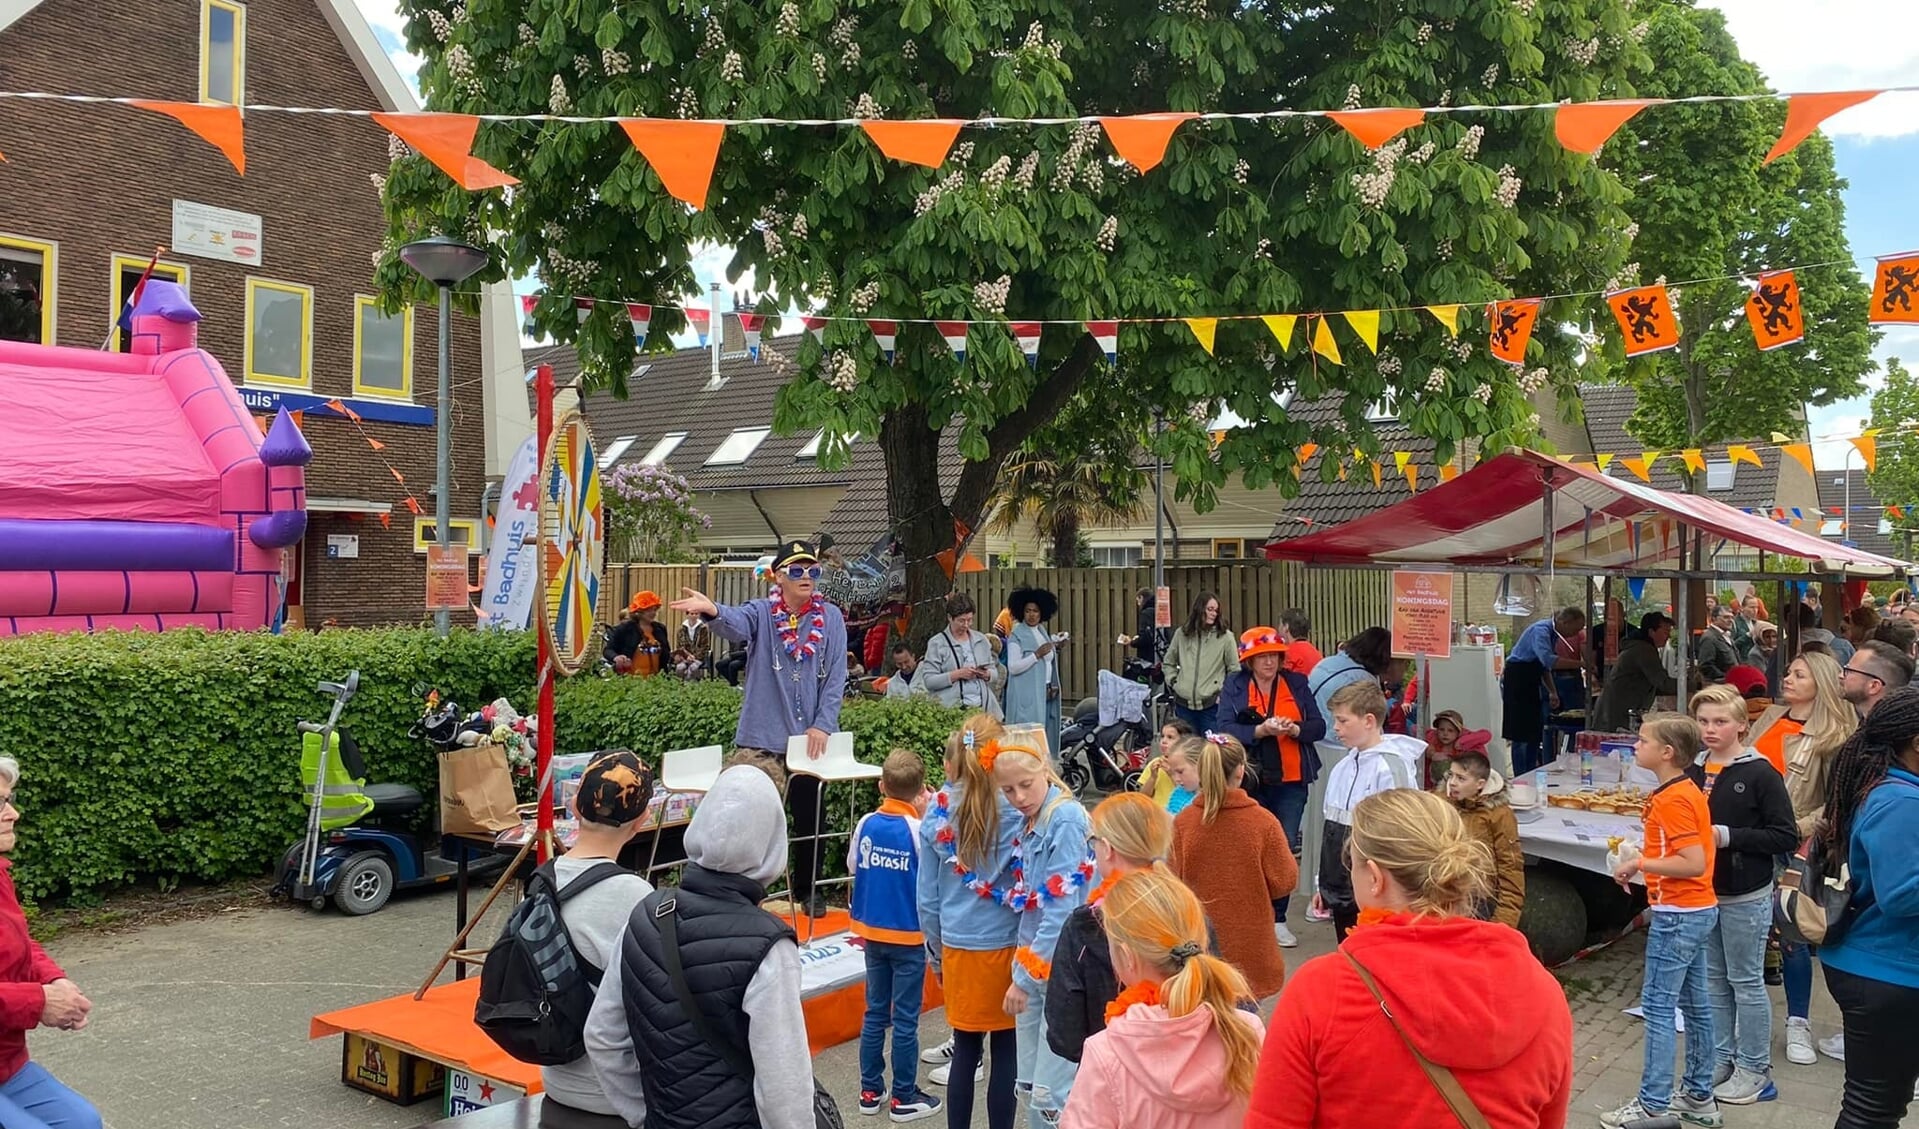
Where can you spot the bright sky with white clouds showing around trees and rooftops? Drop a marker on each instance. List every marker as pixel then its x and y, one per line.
pixel 1834 45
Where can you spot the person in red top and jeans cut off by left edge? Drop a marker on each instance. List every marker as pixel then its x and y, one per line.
pixel 34 992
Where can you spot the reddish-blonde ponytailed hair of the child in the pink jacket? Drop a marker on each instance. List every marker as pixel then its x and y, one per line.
pixel 1160 923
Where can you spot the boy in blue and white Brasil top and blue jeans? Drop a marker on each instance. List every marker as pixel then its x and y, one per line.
pixel 884 859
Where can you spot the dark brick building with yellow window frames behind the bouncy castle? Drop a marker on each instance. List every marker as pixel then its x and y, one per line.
pixel 89 191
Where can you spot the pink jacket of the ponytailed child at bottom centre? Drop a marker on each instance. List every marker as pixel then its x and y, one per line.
pixel 1154 1072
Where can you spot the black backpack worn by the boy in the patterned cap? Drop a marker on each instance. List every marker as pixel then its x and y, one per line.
pixel 534 988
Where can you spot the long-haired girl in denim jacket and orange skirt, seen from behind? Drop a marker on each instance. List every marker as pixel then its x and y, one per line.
pixel 966 848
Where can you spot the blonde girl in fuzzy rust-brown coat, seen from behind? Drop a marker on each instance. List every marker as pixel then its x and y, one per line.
pixel 1237 859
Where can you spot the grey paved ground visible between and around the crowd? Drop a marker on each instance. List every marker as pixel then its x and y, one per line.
pixel 202 1024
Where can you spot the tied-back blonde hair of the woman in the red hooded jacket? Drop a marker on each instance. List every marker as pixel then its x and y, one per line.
pixel 1425 846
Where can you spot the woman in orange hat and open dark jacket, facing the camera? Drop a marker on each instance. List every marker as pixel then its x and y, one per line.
pixel 1273 713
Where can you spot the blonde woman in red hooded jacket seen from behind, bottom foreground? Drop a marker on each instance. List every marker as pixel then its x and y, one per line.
pixel 1362 1034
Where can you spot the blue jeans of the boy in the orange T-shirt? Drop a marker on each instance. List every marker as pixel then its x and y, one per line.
pixel 1676 978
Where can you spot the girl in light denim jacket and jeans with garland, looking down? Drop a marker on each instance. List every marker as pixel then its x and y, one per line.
pixel 1051 871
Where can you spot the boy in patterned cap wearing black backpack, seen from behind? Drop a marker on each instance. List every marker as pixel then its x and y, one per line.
pixel 534 997
